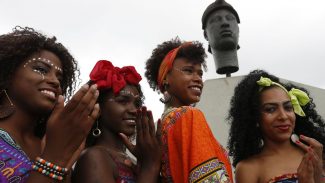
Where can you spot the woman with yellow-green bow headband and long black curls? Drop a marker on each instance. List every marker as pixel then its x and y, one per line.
pixel 264 114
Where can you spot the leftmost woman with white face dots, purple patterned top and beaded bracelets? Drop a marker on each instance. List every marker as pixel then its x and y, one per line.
pixel 37 132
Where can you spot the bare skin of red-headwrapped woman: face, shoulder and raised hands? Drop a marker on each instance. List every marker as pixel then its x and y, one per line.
pixel 96 164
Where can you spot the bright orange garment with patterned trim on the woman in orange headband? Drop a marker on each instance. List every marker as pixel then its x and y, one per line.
pixel 190 151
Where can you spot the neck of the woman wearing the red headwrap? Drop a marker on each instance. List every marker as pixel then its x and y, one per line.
pixel 111 141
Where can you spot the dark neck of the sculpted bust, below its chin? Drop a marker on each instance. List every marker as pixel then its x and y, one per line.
pixel 225 60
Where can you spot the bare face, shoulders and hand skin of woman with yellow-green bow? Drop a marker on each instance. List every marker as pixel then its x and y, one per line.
pixel 279 156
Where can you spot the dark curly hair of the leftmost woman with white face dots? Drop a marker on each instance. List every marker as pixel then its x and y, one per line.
pixel 17 46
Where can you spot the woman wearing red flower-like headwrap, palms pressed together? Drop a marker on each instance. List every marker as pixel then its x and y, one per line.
pixel 105 159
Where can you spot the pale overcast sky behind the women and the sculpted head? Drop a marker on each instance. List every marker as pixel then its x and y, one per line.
pixel 284 37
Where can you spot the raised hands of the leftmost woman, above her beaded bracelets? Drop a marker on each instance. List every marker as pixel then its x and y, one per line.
pixel 69 125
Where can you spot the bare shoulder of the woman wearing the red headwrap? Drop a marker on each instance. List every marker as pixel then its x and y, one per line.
pixel 94 165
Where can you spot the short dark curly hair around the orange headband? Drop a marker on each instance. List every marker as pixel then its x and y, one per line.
pixel 194 53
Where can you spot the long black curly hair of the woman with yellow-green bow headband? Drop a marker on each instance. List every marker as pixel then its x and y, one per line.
pixel 244 115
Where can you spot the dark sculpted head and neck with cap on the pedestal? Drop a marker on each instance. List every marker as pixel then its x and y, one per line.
pixel 220 24
